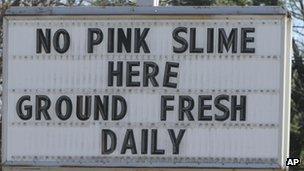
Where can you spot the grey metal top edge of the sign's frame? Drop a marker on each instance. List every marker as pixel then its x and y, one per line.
pixel 174 10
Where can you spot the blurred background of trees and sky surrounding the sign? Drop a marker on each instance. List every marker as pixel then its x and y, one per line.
pixel 296 8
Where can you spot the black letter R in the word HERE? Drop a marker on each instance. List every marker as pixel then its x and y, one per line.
pixel 150 75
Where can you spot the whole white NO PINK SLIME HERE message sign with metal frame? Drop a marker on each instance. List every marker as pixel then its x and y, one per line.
pixel 153 90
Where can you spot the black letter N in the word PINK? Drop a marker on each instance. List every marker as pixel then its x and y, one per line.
pixel 124 40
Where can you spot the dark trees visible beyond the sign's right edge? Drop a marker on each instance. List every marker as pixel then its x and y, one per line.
pixel 297 95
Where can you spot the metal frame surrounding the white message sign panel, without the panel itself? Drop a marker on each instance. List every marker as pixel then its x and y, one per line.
pixel 159 13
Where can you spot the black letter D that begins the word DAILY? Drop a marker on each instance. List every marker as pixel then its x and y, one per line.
pixel 104 141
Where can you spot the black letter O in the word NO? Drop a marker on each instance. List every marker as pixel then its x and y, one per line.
pixel 66 41
